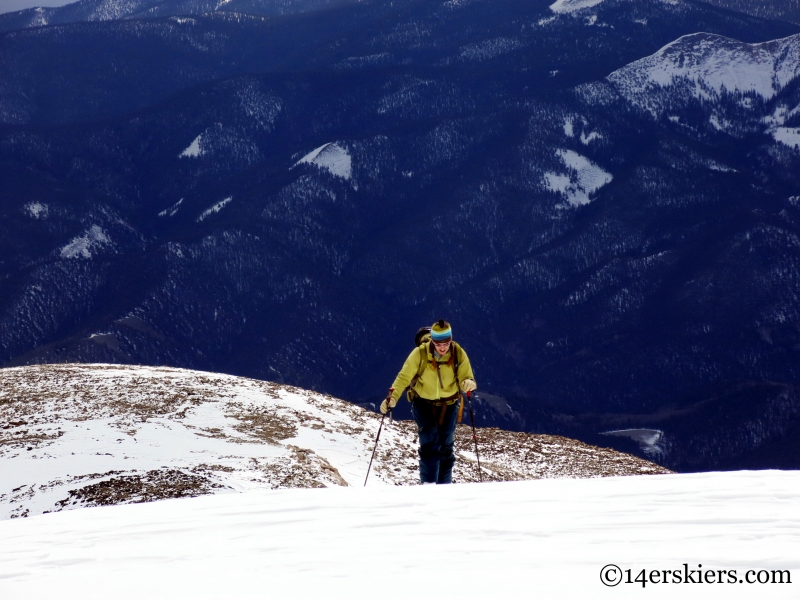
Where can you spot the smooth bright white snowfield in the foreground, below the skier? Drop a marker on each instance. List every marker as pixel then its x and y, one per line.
pixel 532 539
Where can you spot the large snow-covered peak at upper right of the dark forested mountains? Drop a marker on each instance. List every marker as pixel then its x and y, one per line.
pixel 709 63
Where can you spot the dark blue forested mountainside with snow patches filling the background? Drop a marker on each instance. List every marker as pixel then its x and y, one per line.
pixel 602 197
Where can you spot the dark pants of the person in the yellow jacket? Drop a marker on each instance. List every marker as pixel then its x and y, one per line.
pixel 436 456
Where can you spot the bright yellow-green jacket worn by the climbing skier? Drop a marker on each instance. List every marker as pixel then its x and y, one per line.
pixel 428 385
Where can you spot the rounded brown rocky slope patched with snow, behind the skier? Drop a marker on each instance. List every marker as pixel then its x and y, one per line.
pixel 89 435
